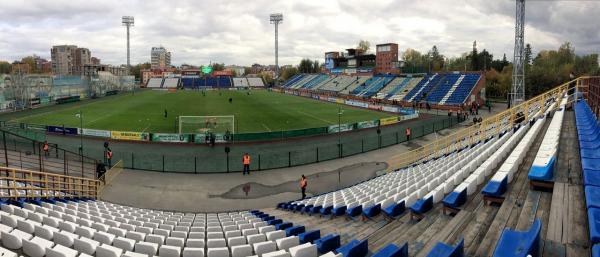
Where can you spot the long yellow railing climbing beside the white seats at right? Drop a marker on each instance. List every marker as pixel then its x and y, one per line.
pixel 495 124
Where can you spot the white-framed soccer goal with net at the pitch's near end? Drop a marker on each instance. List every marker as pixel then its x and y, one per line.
pixel 203 124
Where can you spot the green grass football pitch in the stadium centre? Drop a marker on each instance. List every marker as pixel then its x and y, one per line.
pixel 261 111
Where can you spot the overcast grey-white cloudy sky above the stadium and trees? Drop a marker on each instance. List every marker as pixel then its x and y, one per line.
pixel 238 31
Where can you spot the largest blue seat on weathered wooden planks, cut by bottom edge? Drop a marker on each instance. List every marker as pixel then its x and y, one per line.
pixel 519 244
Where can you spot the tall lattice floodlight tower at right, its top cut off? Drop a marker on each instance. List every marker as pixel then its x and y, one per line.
pixel 518 86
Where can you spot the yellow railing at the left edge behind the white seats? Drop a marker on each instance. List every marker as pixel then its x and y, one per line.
pixel 18 183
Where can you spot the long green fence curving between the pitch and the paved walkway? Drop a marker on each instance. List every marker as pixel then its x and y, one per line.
pixel 271 155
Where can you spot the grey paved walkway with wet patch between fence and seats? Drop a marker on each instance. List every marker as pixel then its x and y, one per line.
pixel 226 192
